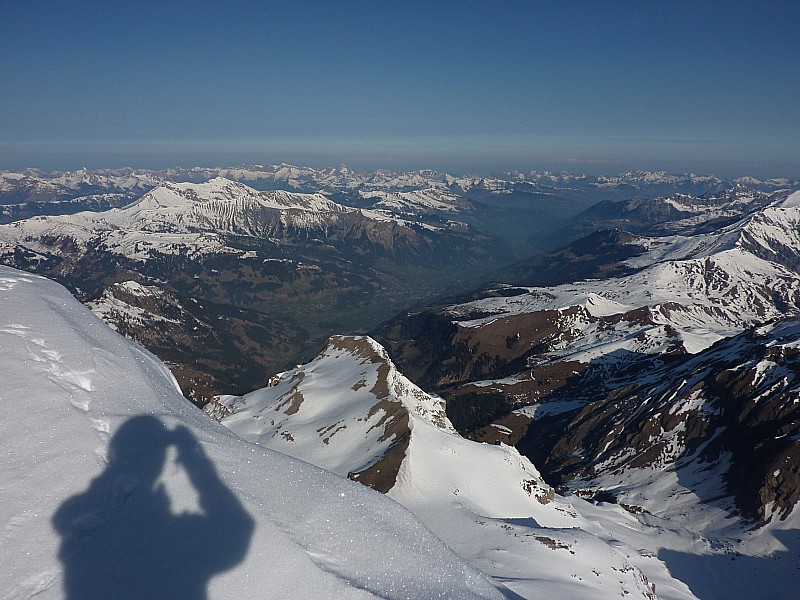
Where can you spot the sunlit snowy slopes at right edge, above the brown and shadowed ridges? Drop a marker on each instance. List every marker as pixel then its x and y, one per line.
pixel 690 293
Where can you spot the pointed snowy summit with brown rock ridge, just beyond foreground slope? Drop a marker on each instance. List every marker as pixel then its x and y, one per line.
pixel 349 411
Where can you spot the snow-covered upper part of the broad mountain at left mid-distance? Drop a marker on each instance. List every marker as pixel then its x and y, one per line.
pixel 195 217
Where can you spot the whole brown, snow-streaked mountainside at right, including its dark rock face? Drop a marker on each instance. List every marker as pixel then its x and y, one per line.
pixel 549 368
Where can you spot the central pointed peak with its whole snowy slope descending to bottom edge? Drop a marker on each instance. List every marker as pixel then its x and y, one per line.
pixel 350 411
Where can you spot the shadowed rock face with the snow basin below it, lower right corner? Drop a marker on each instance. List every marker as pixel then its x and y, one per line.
pixel 702 452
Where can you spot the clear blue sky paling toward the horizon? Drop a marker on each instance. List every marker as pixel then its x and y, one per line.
pixel 596 87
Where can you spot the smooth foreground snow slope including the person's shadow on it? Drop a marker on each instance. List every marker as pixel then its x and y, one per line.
pixel 90 420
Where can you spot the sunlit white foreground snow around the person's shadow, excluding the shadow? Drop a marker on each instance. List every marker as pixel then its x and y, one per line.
pixel 71 384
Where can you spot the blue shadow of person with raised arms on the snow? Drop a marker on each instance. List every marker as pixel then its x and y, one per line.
pixel 120 539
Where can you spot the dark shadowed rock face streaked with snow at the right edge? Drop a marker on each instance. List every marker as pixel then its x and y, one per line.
pixel 732 411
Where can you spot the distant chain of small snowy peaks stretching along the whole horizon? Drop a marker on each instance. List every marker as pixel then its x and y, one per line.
pixel 38 186
